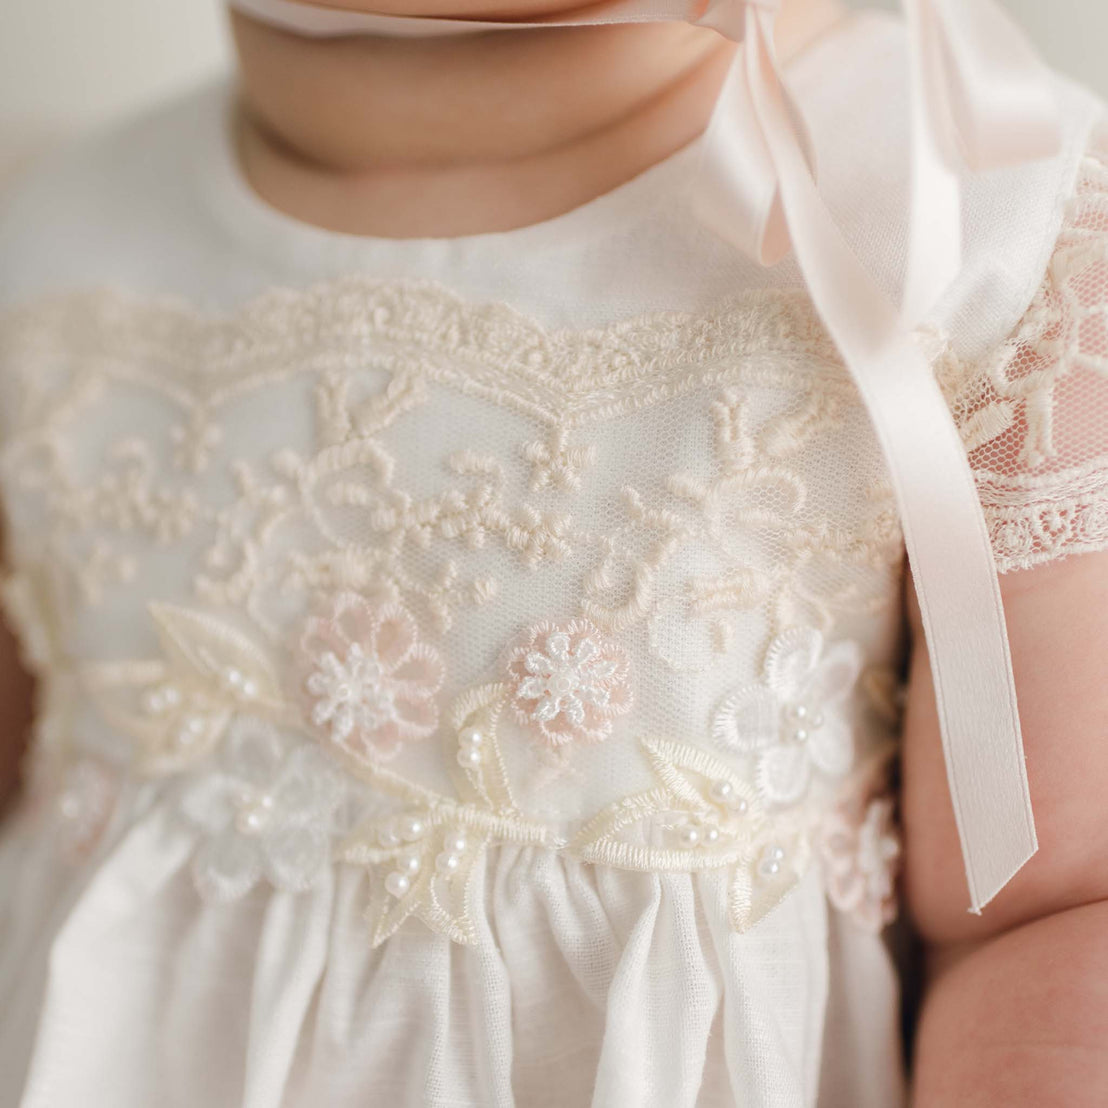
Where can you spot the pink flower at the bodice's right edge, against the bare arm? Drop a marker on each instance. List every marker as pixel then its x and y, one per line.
pixel 861 857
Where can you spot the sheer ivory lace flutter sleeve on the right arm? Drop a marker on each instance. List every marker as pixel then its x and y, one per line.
pixel 1034 415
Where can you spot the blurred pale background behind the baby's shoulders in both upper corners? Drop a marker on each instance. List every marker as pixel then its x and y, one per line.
pixel 67 65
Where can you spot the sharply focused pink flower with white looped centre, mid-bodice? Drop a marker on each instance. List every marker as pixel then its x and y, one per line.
pixel 570 683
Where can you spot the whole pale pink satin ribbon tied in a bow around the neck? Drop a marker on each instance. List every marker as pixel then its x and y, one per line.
pixel 981 100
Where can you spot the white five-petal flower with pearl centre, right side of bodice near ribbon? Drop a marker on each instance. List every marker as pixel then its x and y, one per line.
pixel 795 722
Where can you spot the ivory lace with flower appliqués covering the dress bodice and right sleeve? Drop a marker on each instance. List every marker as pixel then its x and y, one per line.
pixel 368 574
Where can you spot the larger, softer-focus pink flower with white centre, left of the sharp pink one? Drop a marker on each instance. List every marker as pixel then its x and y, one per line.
pixel 370 682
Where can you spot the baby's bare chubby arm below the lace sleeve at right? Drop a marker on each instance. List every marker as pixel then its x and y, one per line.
pixel 1017 1009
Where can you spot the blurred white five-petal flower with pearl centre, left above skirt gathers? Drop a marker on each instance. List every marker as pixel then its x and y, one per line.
pixel 265 811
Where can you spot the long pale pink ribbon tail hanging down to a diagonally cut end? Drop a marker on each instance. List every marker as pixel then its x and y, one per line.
pixel 945 528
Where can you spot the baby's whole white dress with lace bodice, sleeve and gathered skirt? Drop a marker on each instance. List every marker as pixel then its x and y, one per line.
pixel 469 668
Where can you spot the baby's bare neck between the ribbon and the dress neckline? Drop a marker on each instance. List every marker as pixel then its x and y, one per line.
pixel 465 136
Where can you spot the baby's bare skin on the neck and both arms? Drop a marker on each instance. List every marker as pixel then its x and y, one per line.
pixel 480 135
